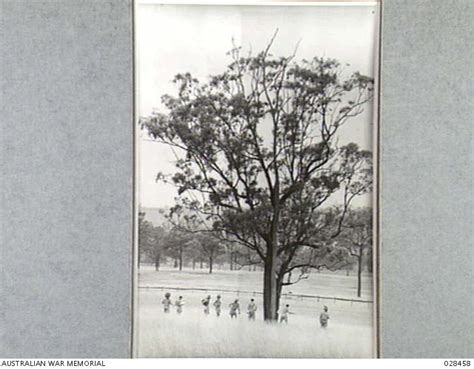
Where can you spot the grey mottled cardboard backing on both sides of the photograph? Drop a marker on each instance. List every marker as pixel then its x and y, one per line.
pixel 67 167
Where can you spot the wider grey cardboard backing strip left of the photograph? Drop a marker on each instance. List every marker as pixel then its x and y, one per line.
pixel 66 178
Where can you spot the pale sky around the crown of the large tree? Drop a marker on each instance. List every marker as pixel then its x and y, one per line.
pixel 175 39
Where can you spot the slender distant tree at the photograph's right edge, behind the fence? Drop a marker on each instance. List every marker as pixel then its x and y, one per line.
pixel 357 238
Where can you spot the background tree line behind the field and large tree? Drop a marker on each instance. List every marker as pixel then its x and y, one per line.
pixel 169 245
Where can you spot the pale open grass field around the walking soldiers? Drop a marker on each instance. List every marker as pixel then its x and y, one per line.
pixel 192 334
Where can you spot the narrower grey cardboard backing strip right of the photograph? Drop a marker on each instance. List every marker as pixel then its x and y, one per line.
pixel 426 179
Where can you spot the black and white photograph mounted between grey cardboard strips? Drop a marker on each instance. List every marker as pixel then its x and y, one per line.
pixel 255 180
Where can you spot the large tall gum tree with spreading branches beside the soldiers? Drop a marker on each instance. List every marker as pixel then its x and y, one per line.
pixel 259 140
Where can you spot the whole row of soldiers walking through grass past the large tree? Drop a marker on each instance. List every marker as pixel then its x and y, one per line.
pixel 234 308
